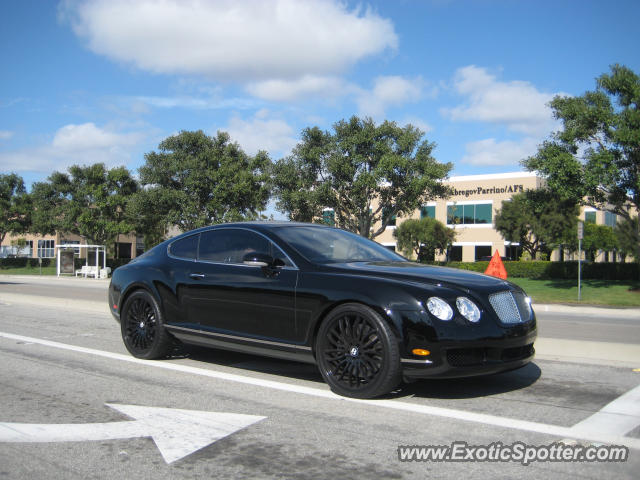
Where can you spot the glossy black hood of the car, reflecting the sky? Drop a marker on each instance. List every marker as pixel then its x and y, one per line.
pixel 415 272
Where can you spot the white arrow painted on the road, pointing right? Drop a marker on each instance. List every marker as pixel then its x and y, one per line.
pixel 177 433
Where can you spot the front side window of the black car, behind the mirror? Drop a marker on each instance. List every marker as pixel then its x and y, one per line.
pixel 229 245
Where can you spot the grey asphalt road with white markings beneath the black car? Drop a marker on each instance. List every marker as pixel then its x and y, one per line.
pixel 63 361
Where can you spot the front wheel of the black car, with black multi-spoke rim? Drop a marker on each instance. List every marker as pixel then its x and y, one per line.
pixel 357 352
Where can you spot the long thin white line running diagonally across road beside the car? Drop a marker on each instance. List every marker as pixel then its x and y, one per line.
pixel 511 423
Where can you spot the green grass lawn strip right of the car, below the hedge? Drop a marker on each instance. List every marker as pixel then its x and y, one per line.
pixel 594 292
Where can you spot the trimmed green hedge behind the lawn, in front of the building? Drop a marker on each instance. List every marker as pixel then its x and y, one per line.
pixel 558 270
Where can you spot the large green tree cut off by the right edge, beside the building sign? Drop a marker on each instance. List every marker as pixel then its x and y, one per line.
pixel 595 157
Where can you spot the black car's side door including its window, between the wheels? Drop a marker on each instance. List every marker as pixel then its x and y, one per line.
pixel 229 297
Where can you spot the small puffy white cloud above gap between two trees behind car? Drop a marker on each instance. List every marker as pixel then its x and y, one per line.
pixel 262 133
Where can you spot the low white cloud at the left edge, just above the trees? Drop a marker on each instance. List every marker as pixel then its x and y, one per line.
pixel 74 144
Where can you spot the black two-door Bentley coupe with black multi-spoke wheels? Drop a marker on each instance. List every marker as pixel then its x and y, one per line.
pixel 365 315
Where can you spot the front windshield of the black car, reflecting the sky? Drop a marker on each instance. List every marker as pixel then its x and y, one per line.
pixel 331 245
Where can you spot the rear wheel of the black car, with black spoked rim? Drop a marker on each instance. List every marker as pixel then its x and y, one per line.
pixel 142 327
